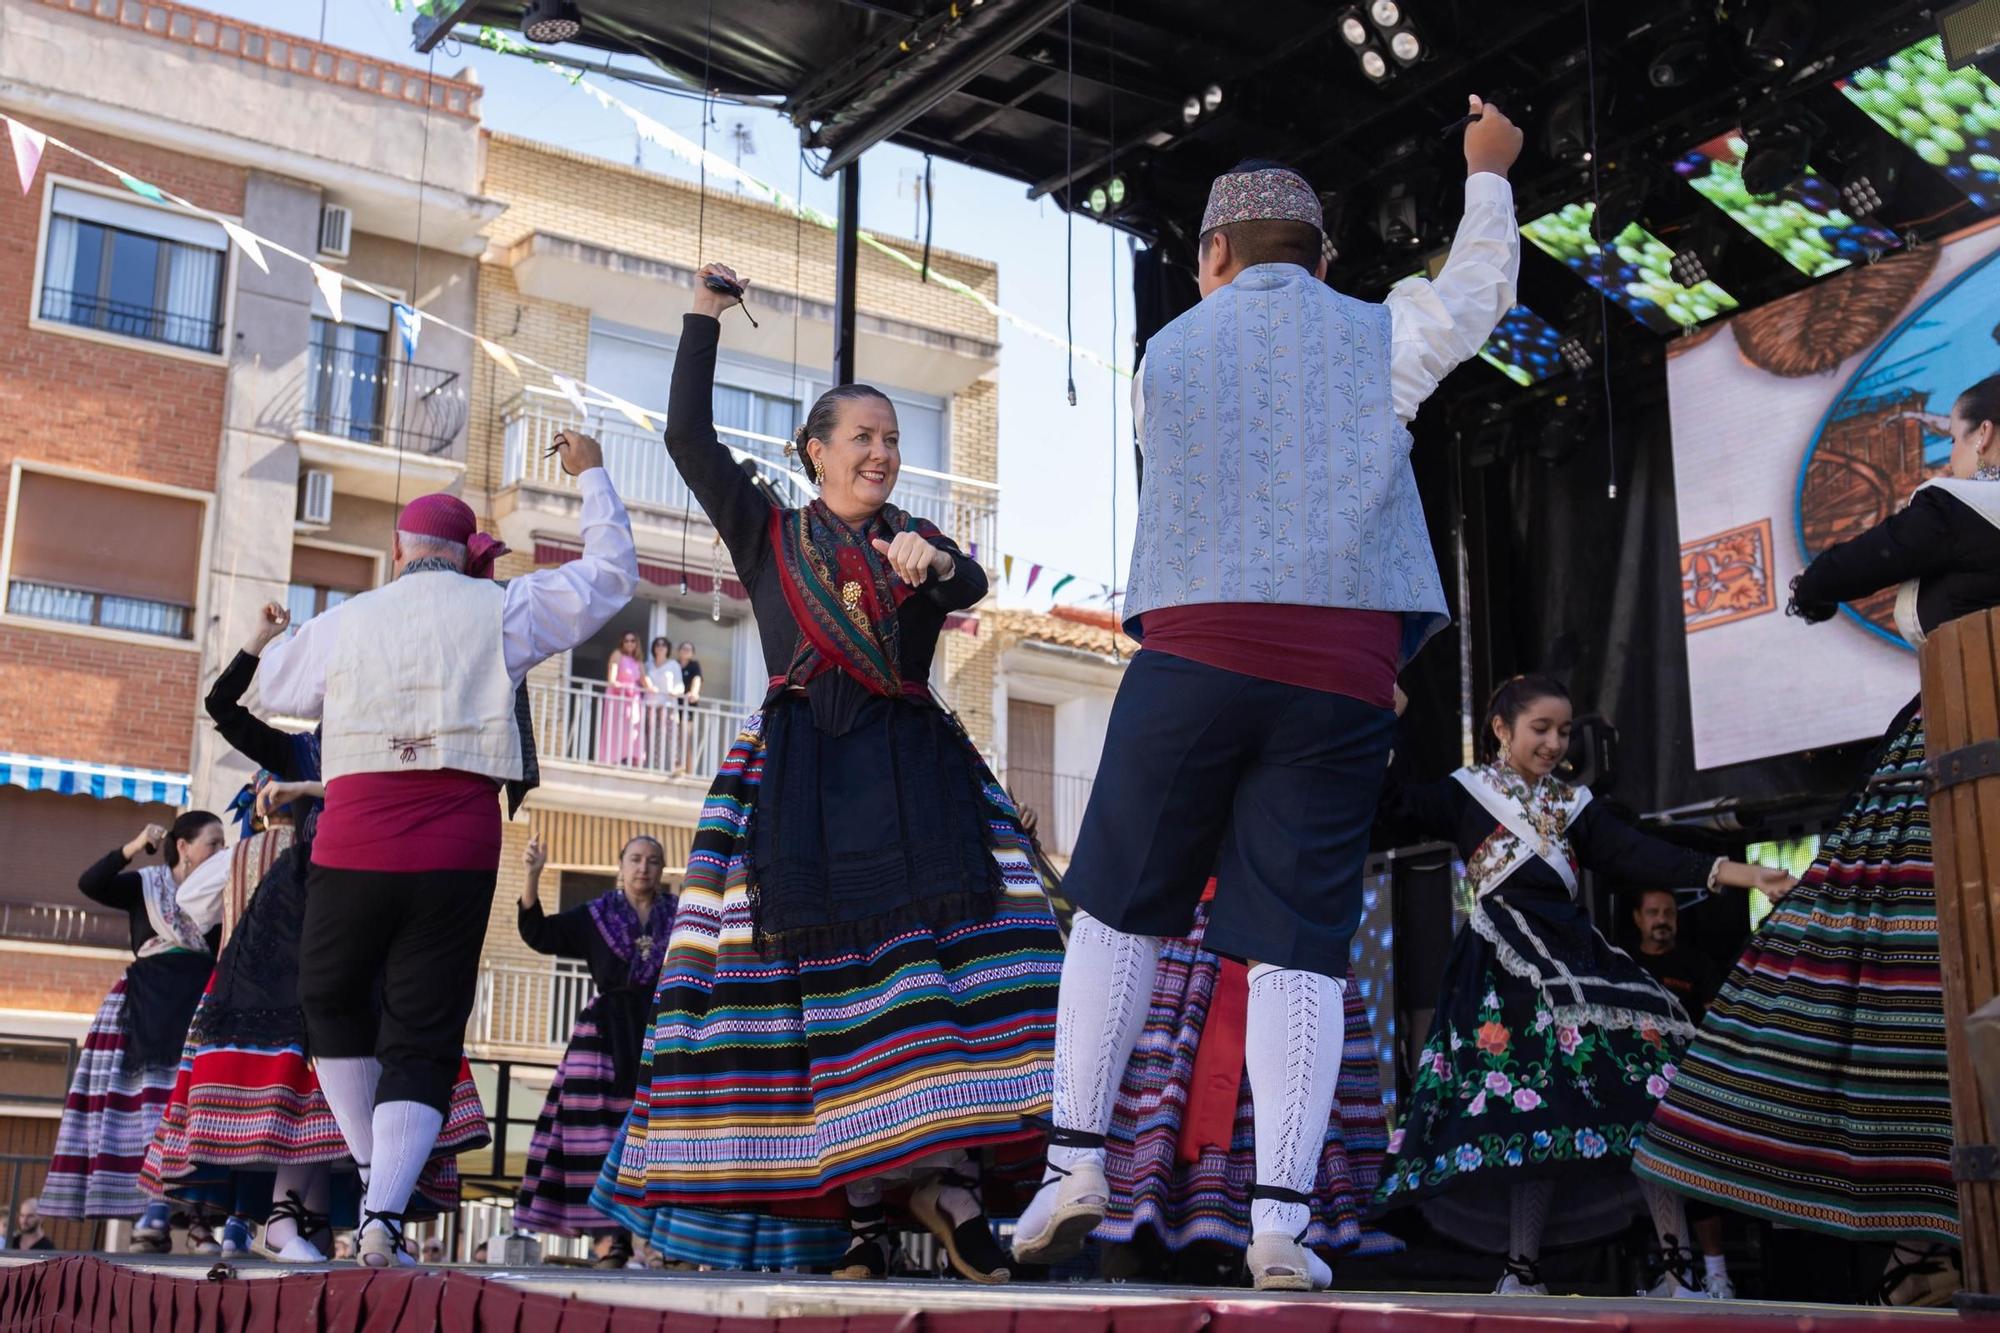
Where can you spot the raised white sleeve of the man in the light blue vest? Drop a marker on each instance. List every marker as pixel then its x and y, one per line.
pixel 1445 321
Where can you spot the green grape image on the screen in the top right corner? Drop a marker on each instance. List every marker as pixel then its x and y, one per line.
pixel 1947 117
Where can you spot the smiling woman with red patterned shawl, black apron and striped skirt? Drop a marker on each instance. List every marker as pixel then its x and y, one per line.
pixel 861 934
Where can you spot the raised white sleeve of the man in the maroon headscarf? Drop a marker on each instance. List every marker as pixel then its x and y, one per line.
pixel 557 609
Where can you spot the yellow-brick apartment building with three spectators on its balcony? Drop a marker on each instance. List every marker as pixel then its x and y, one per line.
pixel 591 271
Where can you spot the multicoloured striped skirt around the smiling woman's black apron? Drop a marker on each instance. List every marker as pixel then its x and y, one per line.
pixel 783 1080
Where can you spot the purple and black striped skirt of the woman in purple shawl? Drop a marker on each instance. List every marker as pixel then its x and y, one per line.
pixel 577 1130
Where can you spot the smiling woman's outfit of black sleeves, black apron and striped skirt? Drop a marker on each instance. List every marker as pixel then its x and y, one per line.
pixel 907 1002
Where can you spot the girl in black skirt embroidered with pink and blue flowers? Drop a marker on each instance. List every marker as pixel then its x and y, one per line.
pixel 1551 1048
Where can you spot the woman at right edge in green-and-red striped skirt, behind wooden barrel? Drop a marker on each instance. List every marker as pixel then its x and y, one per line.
pixel 1817 1090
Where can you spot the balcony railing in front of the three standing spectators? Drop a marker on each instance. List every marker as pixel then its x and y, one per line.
pixel 585 724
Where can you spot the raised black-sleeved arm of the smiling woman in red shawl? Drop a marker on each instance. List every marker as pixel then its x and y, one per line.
pixel 721 487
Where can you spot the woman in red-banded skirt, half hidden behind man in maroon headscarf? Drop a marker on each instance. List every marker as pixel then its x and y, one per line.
pixel 249 1126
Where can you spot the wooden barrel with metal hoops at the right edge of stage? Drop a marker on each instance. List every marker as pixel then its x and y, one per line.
pixel 1963 748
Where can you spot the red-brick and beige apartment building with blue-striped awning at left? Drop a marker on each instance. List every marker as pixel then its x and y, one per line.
pixel 193 435
